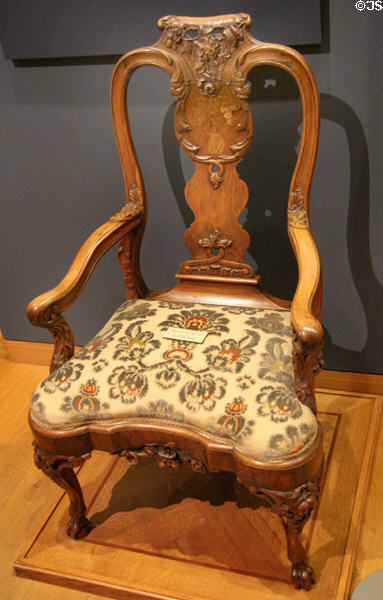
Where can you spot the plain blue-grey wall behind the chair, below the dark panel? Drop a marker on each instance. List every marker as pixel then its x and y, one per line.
pixel 60 179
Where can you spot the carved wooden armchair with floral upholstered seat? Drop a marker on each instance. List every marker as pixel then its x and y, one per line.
pixel 214 372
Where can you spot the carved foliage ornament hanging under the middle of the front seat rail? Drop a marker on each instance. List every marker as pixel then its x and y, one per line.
pixel 165 455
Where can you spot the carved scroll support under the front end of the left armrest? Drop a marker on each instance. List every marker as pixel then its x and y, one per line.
pixel 62 335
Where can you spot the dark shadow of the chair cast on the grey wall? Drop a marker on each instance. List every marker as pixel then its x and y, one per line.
pixel 267 169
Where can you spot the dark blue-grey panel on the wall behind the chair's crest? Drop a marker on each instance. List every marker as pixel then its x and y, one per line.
pixel 53 28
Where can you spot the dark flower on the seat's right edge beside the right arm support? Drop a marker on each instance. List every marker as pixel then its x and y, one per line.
pixel 275 364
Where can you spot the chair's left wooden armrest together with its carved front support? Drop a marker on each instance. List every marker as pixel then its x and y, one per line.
pixel 45 310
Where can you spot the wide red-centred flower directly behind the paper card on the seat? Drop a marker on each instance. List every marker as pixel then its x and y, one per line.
pixel 208 320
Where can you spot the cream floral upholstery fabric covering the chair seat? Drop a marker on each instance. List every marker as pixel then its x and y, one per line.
pixel 237 384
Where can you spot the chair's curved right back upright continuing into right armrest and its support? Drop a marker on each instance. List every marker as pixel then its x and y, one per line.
pixel 305 309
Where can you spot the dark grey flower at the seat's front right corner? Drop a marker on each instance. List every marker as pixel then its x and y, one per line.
pixel 279 403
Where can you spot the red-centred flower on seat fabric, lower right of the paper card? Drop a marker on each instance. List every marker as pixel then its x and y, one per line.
pixel 231 355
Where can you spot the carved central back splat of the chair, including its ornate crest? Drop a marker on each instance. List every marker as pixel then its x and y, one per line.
pixel 214 127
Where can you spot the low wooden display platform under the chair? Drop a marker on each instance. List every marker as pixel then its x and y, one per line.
pixel 181 535
